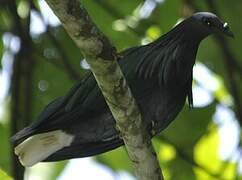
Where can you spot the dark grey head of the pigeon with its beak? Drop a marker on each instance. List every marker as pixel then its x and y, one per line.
pixel 208 23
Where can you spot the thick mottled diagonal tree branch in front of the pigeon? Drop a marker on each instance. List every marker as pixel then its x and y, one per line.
pixel 101 57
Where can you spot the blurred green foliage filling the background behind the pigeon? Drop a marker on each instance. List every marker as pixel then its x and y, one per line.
pixel 190 147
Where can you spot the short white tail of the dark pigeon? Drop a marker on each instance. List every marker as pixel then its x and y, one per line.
pixel 38 147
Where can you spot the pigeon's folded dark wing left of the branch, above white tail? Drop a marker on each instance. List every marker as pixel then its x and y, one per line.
pixel 58 110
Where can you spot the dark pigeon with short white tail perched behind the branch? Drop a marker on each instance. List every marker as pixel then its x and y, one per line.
pixel 159 74
